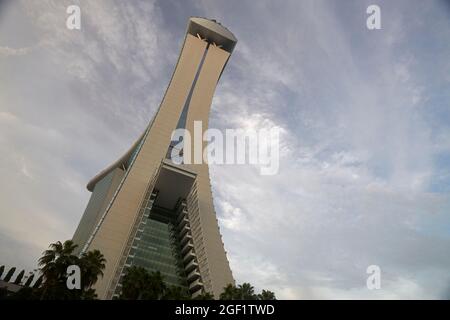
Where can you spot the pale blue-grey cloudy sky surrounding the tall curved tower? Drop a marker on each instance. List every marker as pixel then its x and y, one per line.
pixel 364 175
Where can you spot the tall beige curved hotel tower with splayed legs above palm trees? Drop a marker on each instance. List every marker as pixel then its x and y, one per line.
pixel 147 211
